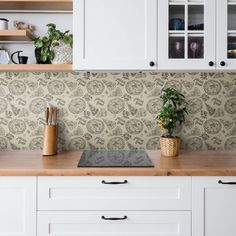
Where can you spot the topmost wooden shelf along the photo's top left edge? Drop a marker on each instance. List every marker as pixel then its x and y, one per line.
pixel 36 5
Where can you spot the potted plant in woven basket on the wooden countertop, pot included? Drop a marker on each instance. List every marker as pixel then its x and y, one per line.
pixel 172 114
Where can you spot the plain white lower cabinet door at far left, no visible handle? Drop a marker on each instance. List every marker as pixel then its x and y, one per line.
pixel 18 206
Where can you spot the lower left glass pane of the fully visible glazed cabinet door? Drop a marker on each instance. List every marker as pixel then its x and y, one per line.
pixel 176 47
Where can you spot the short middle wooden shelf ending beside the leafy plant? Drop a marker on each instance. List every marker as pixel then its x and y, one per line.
pixel 16 35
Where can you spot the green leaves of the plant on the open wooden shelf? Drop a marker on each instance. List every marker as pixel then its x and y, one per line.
pixel 50 40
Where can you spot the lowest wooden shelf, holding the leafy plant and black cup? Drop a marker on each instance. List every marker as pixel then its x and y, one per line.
pixel 36 67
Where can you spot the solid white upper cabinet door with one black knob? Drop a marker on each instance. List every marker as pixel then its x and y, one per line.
pixel 115 34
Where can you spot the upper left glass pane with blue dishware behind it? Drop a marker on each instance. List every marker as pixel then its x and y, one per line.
pixel 176 17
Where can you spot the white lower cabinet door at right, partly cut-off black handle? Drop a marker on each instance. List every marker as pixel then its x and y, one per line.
pixel 214 206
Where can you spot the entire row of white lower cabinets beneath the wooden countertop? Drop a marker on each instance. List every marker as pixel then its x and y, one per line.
pixel 118 206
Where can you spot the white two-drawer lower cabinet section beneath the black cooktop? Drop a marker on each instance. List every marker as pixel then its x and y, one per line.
pixel 114 206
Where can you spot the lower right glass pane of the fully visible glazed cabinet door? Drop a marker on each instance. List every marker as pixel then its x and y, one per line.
pixel 195 47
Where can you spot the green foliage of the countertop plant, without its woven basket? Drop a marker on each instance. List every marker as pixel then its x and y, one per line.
pixel 173 111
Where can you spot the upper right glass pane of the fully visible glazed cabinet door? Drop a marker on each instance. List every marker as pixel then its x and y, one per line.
pixel 195 17
